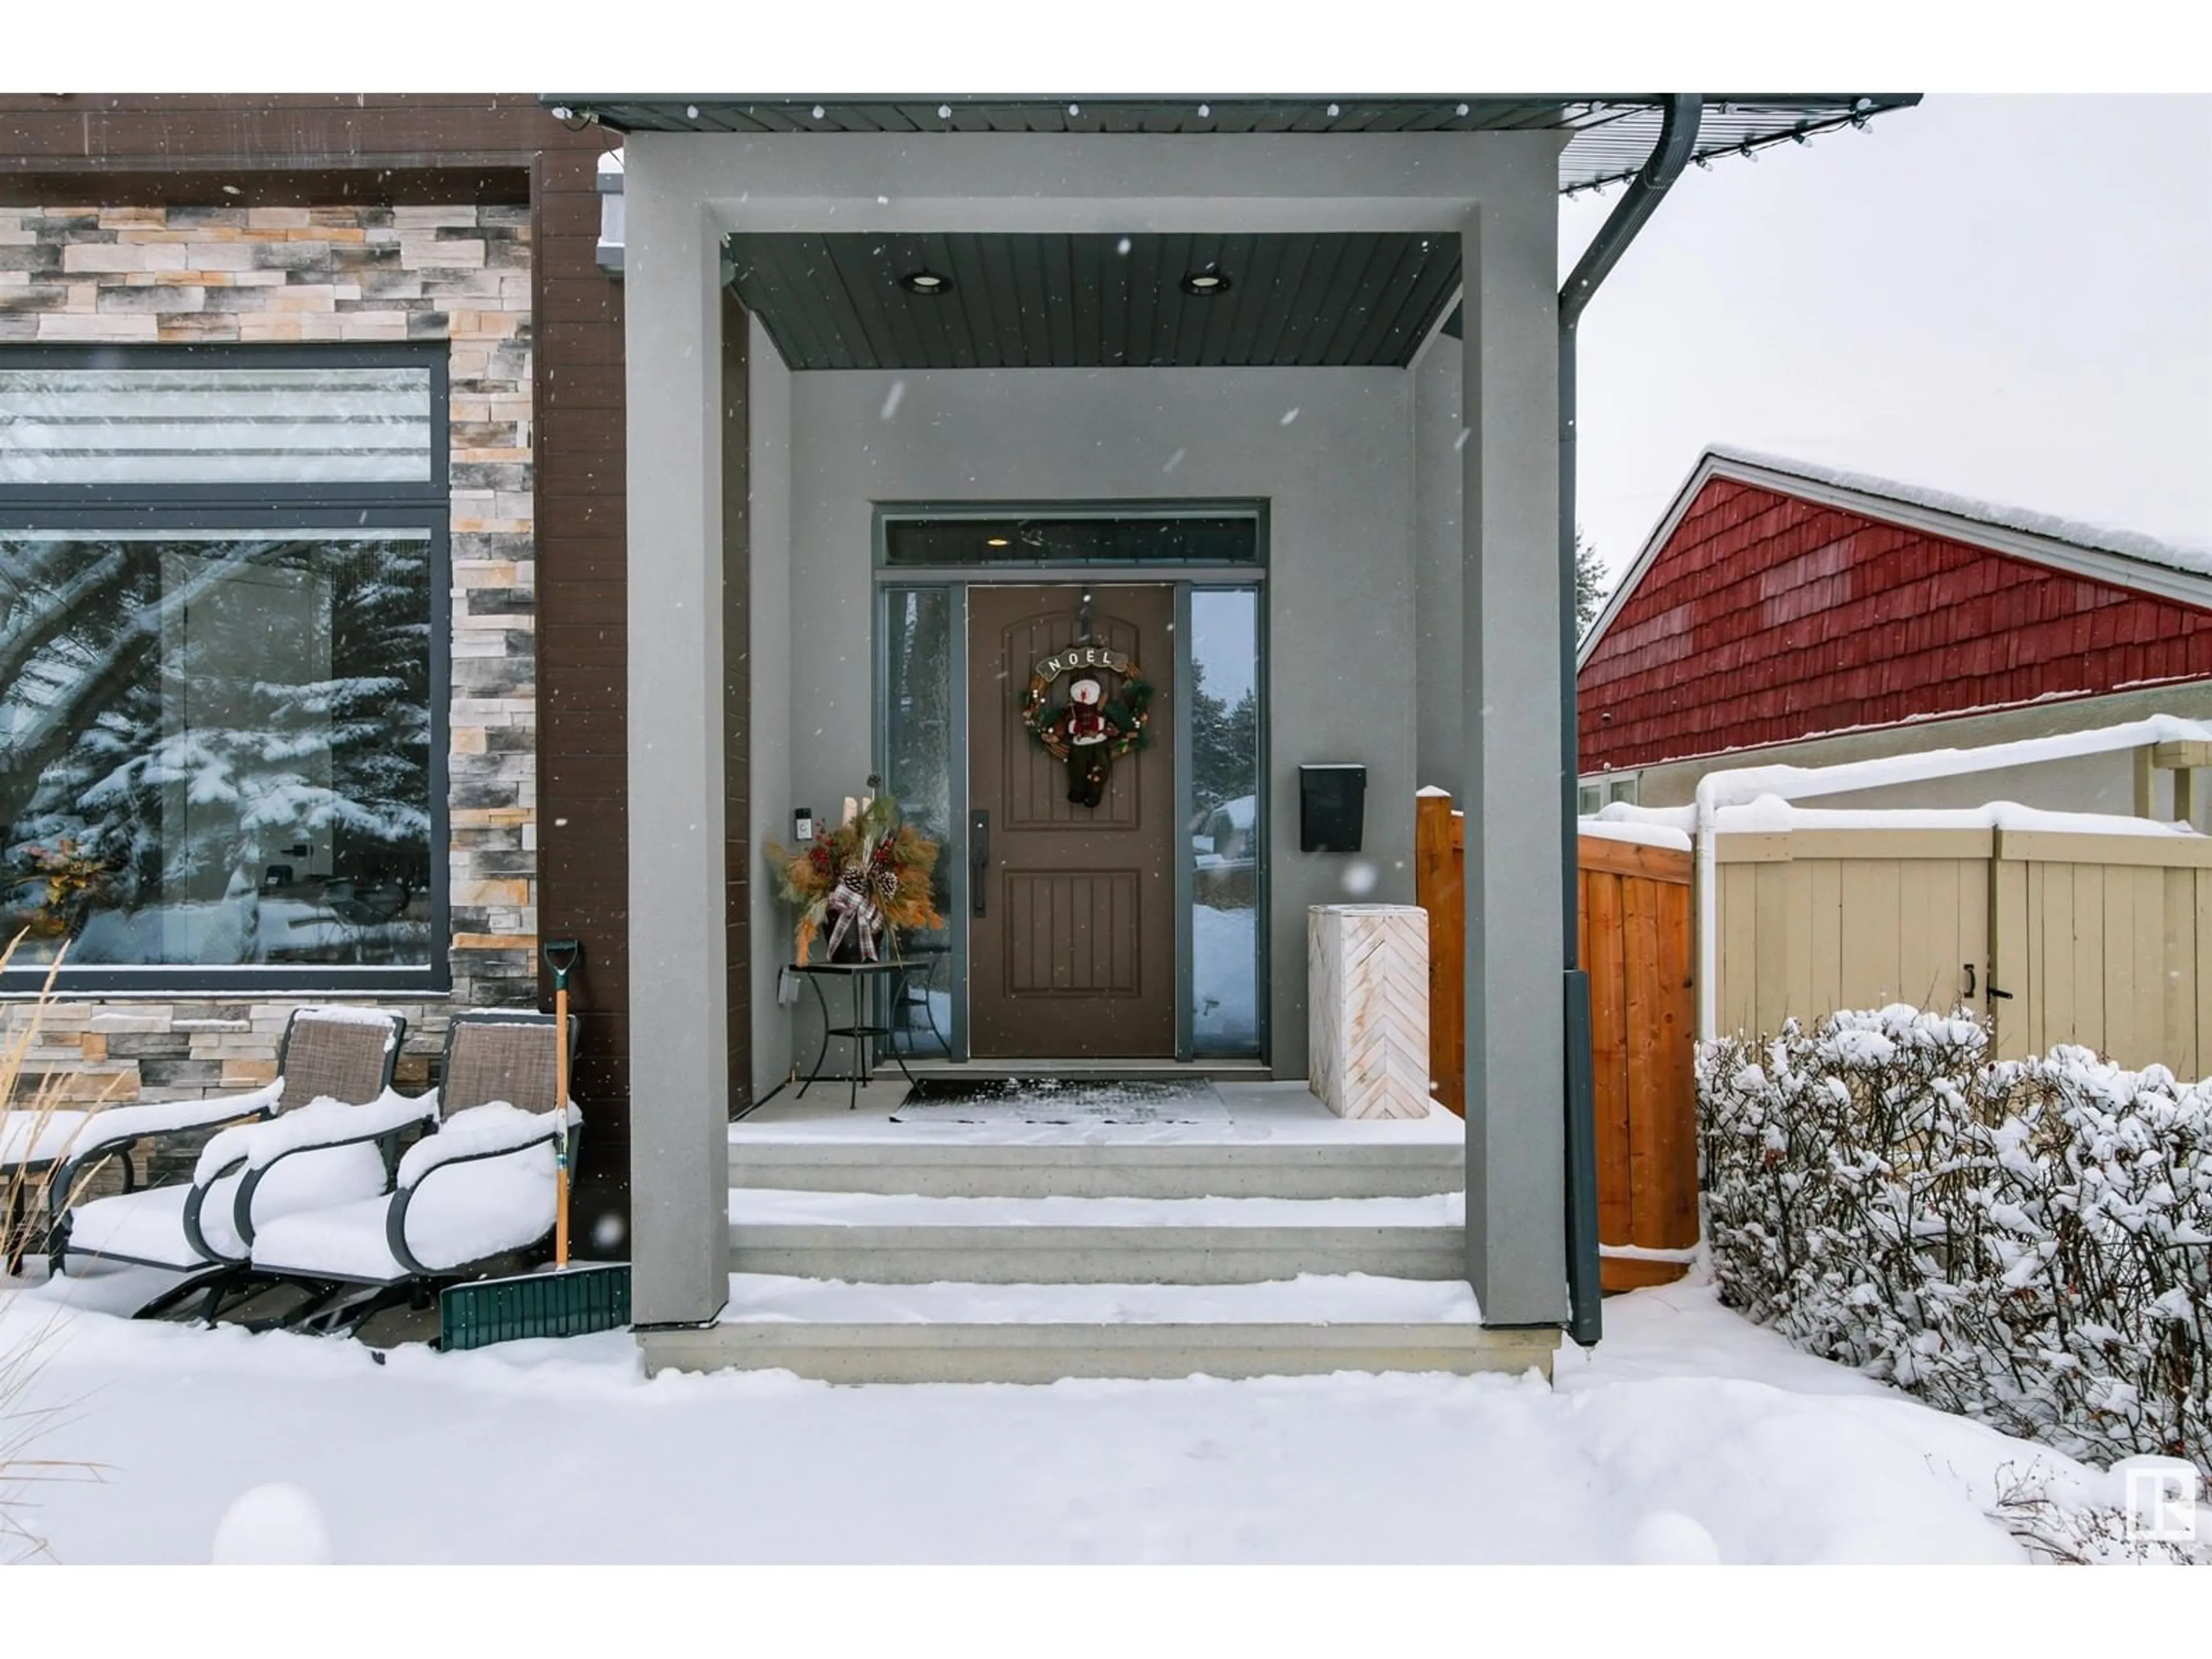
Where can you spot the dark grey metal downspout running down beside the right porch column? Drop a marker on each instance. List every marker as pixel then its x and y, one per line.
pixel 1678 136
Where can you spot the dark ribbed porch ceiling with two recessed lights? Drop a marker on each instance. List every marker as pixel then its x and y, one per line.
pixel 1076 302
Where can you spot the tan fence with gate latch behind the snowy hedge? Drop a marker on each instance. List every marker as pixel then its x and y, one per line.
pixel 2091 939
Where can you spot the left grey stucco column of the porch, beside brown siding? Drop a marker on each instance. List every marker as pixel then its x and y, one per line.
pixel 680 1065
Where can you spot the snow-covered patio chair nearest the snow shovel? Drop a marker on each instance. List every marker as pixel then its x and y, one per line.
pixel 477 1189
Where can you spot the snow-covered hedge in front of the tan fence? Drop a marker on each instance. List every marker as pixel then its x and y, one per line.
pixel 2027 1242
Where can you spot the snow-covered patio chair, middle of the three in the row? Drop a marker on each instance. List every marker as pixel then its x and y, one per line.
pixel 335 1065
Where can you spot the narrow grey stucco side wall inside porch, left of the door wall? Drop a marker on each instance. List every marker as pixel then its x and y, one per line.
pixel 771 735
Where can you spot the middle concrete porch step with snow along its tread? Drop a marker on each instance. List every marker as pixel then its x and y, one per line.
pixel 1092 1242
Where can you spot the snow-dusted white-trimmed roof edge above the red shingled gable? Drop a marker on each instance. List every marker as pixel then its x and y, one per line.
pixel 2125 559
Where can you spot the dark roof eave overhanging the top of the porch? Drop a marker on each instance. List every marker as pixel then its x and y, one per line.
pixel 1611 134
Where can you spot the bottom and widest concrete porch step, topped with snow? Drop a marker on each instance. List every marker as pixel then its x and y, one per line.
pixel 1052 1333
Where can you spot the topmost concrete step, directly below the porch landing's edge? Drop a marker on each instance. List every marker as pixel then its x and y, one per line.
pixel 1103 1169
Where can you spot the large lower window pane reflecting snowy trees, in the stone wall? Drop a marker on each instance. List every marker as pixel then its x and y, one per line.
pixel 231 735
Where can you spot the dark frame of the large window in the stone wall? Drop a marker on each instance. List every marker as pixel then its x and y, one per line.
pixel 280 510
